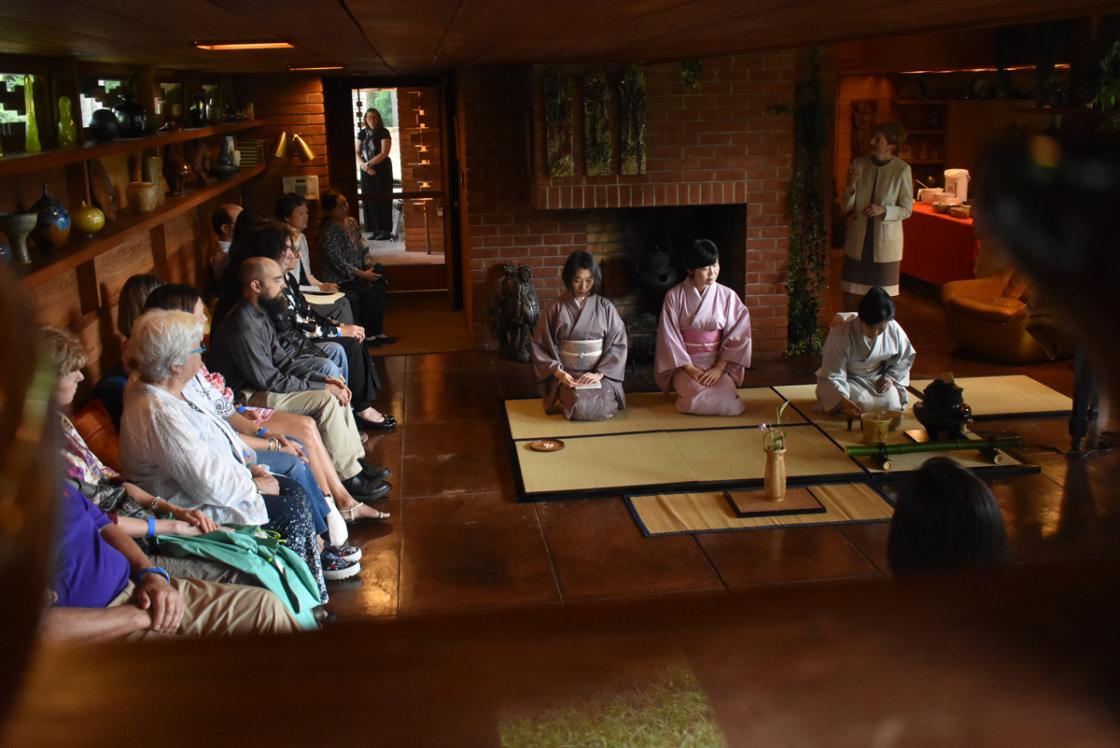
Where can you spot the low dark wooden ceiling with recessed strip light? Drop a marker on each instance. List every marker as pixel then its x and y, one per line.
pixel 402 38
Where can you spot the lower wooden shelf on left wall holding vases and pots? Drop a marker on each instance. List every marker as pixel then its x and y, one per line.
pixel 78 251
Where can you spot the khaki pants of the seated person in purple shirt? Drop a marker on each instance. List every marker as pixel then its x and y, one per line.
pixel 213 610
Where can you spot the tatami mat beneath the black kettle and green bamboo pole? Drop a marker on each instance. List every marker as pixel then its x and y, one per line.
pixel 836 426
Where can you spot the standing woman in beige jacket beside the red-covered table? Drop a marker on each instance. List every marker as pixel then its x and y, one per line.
pixel 878 200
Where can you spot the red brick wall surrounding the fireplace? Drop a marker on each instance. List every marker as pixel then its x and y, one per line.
pixel 723 134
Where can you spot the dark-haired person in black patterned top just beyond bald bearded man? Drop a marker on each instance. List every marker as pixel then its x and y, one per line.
pixel 301 330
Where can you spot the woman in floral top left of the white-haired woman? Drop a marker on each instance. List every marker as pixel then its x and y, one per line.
pixel 134 510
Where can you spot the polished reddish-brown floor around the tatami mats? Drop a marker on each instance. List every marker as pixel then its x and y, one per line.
pixel 459 539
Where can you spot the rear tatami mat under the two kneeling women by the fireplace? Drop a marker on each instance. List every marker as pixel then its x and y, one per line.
pixel 646 412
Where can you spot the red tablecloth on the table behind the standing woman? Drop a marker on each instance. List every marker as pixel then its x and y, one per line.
pixel 938 248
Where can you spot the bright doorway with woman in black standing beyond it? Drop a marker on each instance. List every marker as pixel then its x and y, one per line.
pixel 399 133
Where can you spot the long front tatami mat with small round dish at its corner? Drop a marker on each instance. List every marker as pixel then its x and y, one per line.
pixel 619 463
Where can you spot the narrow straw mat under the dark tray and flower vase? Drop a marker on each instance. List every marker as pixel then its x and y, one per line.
pixel 667 515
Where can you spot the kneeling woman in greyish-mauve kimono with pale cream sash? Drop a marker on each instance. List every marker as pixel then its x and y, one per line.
pixel 580 348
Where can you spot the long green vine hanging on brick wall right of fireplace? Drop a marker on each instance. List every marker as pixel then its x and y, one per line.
pixel 807 272
